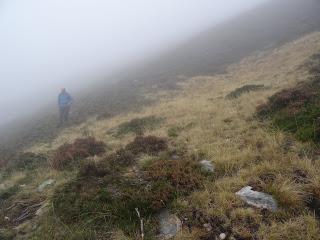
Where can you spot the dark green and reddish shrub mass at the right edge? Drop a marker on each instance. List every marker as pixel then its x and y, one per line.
pixel 296 110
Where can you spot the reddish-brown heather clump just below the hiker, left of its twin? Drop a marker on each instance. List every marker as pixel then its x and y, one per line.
pixel 67 154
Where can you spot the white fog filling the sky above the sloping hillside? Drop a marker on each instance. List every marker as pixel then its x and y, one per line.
pixel 49 44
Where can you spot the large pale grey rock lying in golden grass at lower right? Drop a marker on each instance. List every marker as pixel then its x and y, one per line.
pixel 258 199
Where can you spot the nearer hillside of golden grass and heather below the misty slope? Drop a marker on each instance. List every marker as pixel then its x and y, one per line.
pixel 106 172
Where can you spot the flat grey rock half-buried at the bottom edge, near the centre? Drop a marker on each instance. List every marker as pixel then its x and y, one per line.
pixel 170 225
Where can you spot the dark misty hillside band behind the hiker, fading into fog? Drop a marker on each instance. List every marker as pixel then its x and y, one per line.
pixel 265 27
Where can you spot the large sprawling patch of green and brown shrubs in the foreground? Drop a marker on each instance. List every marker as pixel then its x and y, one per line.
pixel 102 195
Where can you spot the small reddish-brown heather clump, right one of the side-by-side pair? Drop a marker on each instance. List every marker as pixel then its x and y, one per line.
pixel 151 145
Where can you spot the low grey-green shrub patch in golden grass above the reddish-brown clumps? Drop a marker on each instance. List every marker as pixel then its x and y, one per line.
pixel 138 125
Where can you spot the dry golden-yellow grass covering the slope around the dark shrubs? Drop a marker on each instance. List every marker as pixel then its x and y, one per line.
pixel 225 132
